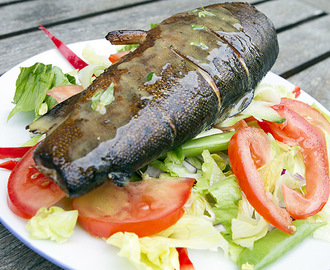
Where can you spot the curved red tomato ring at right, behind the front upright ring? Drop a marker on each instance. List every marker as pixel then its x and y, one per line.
pixel 314 150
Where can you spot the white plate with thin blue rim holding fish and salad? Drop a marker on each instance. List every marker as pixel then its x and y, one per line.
pixel 83 251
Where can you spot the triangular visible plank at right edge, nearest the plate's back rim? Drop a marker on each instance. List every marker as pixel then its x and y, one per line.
pixel 315 80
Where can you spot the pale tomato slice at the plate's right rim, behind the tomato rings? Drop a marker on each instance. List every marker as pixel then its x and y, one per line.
pixel 309 113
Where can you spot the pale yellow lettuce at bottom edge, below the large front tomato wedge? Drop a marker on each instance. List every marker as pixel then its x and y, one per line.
pixel 159 251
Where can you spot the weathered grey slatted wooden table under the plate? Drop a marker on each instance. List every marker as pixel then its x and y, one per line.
pixel 303 28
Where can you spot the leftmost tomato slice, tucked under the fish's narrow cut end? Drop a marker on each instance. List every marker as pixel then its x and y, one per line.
pixel 29 190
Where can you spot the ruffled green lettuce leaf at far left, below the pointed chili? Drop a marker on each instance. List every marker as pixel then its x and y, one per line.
pixel 31 86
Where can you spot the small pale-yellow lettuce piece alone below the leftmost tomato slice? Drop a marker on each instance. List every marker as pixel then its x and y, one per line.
pixel 54 224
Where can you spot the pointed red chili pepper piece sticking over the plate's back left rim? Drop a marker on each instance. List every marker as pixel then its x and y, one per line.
pixel 74 59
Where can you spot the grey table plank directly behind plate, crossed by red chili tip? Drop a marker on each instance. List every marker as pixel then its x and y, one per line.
pixel 91 28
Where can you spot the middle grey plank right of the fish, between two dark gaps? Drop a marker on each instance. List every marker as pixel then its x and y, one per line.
pixel 302 44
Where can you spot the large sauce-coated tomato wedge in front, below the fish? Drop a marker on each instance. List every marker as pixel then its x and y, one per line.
pixel 144 207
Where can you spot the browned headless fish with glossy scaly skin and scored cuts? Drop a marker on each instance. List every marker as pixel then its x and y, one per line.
pixel 192 87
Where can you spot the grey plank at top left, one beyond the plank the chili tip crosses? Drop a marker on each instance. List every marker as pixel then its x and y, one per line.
pixel 30 14
